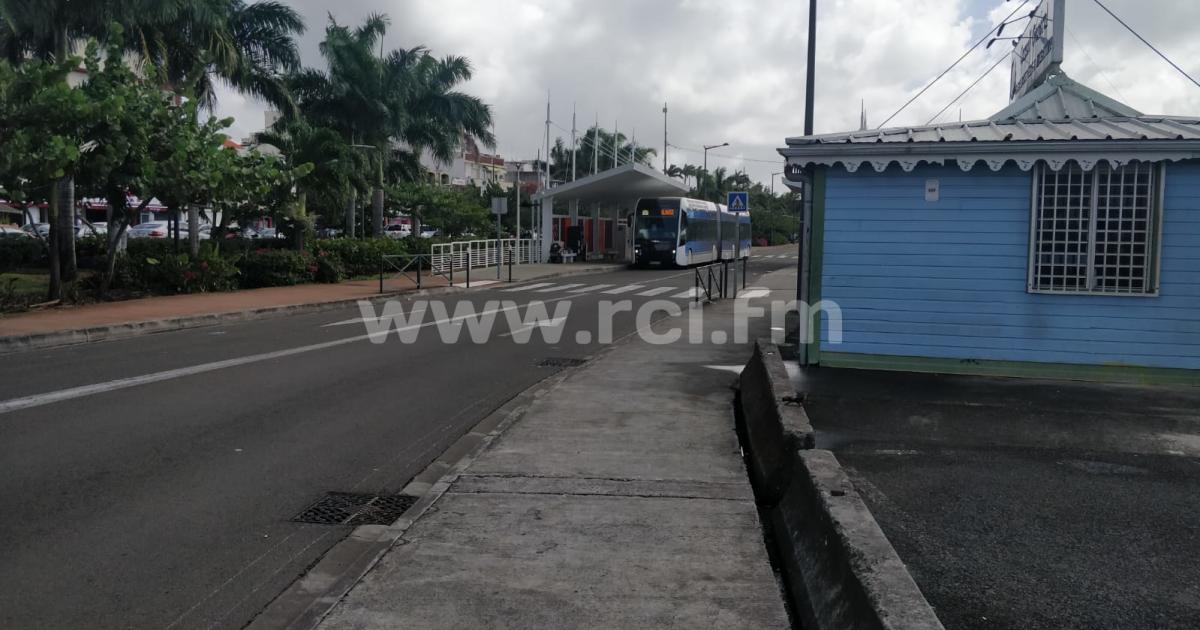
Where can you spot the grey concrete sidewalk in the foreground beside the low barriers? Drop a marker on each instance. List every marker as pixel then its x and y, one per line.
pixel 617 500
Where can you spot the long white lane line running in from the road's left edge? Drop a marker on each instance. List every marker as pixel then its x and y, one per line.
pixel 51 398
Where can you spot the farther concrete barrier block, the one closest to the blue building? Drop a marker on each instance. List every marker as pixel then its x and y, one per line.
pixel 781 425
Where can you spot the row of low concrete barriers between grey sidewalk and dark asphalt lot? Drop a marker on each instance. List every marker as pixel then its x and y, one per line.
pixel 839 569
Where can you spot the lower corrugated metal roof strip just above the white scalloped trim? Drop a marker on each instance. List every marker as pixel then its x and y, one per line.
pixel 1084 129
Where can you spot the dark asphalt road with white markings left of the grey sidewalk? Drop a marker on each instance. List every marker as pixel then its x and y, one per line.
pixel 166 502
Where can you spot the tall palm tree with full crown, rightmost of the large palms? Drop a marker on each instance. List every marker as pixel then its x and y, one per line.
pixel 377 100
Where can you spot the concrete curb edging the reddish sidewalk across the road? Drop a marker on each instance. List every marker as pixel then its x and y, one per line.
pixel 134 329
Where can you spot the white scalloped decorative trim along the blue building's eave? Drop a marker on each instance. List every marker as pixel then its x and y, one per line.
pixel 1023 161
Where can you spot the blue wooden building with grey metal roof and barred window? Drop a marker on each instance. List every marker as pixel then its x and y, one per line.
pixel 1061 237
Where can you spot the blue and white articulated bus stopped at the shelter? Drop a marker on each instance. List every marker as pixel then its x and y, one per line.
pixel 681 232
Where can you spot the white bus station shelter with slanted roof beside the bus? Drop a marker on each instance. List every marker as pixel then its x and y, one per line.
pixel 601 206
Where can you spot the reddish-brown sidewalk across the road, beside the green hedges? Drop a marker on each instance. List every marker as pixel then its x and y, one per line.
pixel 158 311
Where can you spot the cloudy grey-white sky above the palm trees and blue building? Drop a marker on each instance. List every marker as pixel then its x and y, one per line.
pixel 734 70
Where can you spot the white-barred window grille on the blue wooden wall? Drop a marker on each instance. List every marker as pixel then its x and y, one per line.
pixel 1095 231
